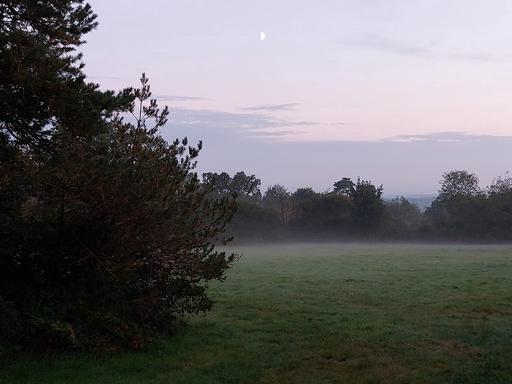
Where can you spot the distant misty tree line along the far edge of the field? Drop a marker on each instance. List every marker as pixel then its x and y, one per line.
pixel 357 210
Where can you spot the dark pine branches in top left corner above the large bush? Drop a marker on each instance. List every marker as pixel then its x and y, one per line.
pixel 42 85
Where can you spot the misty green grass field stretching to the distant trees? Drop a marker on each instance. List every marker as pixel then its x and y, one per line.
pixel 330 313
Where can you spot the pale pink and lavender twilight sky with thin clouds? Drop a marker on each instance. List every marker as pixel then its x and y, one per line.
pixel 393 91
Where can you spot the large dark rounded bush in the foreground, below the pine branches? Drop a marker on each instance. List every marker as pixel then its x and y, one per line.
pixel 109 238
